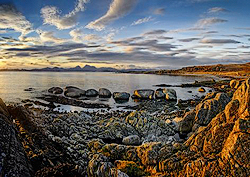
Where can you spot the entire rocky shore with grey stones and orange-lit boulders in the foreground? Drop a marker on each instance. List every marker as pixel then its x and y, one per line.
pixel 208 136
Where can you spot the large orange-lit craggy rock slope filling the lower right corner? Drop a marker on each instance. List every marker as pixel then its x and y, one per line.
pixel 219 149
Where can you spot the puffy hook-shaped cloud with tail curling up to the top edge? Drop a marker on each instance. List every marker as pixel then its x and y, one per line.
pixel 51 15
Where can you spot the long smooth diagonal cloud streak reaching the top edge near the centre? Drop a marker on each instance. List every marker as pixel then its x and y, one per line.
pixel 117 9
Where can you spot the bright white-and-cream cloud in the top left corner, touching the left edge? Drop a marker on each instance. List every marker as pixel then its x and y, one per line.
pixel 11 18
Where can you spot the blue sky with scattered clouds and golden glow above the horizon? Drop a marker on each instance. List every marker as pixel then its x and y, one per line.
pixel 127 34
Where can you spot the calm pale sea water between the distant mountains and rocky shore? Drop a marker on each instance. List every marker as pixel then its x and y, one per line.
pixel 12 84
